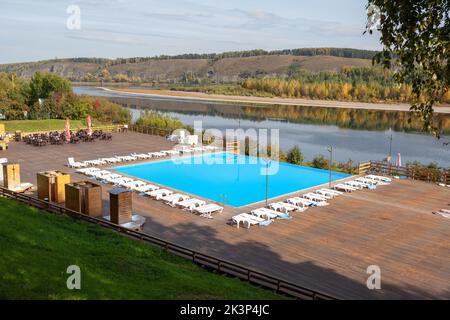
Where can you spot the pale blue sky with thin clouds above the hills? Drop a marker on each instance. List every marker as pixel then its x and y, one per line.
pixel 45 29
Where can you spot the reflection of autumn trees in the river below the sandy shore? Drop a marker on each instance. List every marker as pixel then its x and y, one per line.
pixel 344 118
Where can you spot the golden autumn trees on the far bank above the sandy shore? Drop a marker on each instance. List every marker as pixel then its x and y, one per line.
pixel 349 84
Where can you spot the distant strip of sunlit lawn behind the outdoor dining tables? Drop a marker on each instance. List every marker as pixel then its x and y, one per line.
pixel 44 125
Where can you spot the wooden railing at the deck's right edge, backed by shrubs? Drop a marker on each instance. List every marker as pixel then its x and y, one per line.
pixel 412 172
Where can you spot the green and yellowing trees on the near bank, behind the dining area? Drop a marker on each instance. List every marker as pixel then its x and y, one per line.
pixel 47 95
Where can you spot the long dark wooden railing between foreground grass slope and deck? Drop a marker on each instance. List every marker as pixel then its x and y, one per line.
pixel 204 260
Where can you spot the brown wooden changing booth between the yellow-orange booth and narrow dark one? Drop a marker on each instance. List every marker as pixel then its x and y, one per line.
pixel 85 197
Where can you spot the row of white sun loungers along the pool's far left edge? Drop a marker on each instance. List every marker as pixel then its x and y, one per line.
pixel 71 163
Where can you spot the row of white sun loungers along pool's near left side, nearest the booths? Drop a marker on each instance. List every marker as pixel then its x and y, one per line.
pixel 176 200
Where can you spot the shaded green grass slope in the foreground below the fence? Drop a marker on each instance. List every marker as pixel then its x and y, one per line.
pixel 37 247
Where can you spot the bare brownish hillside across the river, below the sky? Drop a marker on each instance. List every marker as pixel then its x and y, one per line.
pixel 222 68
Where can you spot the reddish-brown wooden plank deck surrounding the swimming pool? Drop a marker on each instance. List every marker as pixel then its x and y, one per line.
pixel 326 249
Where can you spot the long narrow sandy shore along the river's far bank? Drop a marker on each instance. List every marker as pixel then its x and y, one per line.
pixel 260 100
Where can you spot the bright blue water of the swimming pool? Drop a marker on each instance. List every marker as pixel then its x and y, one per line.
pixel 230 179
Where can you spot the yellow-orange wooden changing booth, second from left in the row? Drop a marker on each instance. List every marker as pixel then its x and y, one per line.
pixel 51 185
